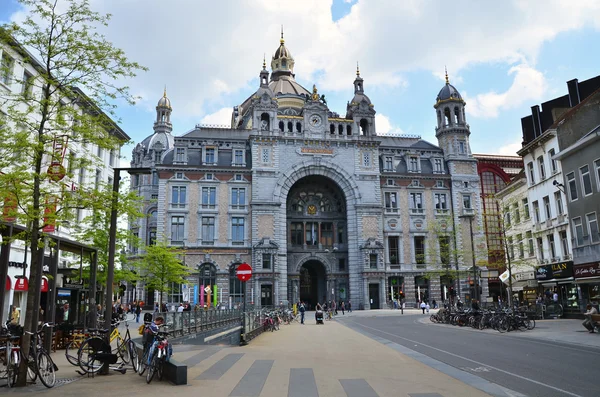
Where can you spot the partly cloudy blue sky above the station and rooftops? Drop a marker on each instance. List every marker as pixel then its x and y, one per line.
pixel 502 56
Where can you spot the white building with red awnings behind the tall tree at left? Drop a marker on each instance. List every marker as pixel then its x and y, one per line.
pixel 18 72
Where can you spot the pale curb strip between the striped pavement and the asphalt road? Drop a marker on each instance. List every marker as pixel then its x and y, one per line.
pixel 475 381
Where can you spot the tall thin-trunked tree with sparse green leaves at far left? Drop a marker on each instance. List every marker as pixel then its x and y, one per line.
pixel 71 95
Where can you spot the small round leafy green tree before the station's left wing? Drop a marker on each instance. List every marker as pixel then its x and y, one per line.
pixel 160 266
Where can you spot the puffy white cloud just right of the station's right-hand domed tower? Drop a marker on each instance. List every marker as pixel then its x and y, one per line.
pixel 529 86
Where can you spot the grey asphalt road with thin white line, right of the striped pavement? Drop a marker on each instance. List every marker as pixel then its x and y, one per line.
pixel 528 366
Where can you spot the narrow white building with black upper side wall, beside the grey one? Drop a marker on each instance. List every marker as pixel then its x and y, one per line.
pixel 547 196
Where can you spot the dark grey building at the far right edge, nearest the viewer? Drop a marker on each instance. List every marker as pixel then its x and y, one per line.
pixel 578 134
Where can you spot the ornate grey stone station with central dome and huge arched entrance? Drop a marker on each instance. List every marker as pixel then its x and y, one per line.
pixel 318 203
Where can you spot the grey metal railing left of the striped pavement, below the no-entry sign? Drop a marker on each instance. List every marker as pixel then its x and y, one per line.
pixel 192 322
